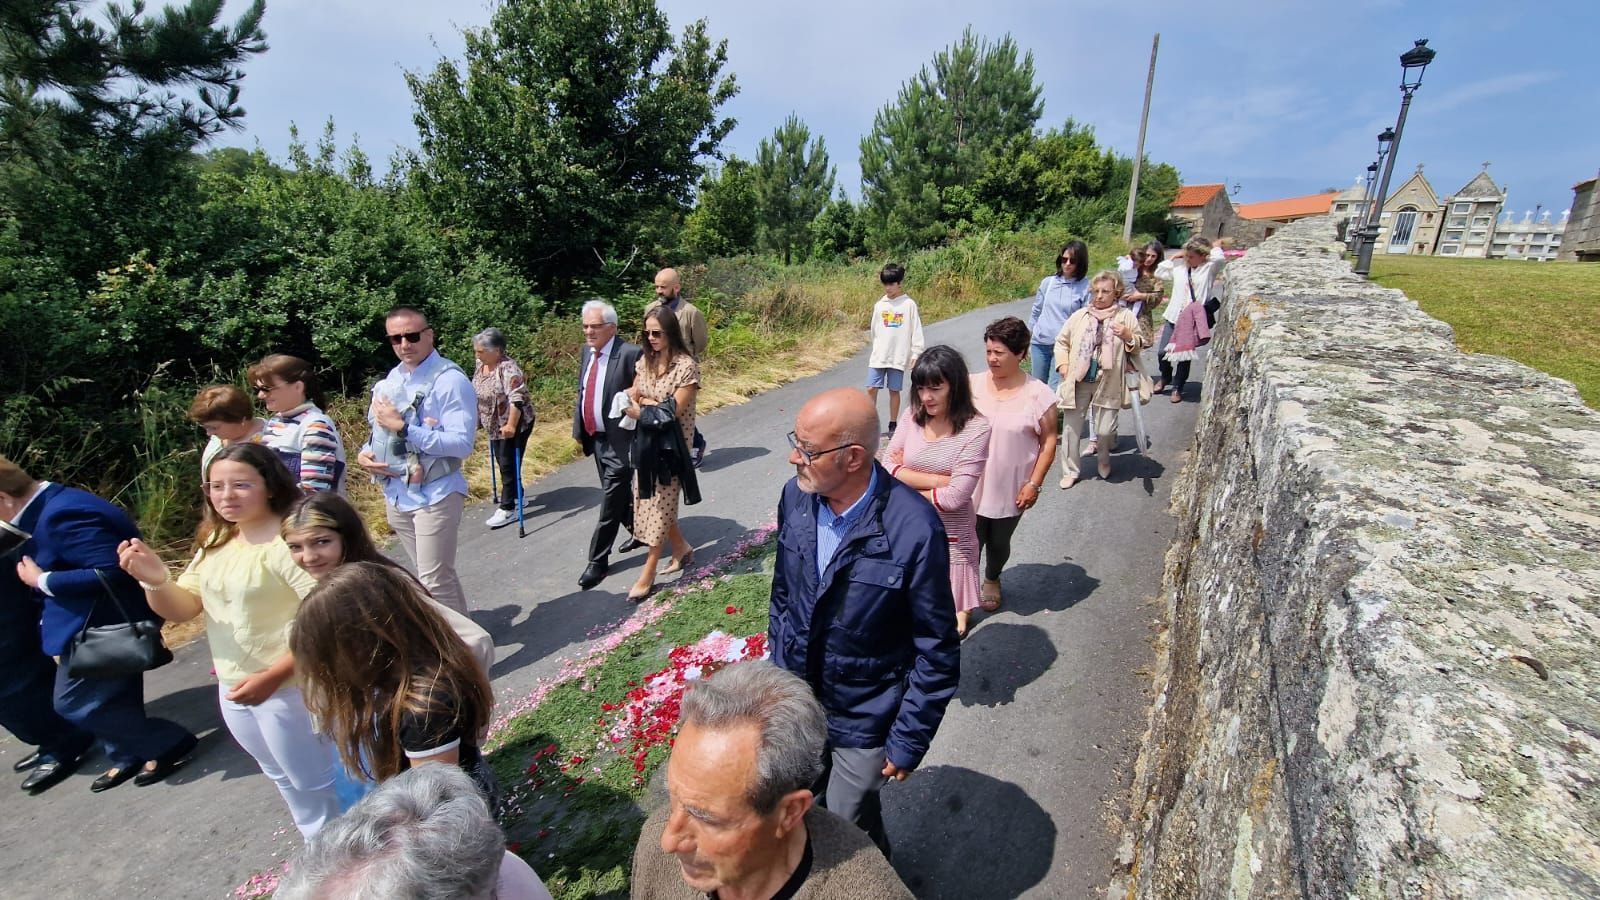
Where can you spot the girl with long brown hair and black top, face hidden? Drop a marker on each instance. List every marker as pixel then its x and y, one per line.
pixel 388 677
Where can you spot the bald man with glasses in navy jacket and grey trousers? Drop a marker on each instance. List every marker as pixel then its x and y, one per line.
pixel 862 605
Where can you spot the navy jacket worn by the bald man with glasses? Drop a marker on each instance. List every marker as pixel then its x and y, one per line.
pixel 876 635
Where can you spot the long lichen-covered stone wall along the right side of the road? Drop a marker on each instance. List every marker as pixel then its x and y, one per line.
pixel 1382 672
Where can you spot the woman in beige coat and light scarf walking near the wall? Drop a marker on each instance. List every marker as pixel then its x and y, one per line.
pixel 1094 353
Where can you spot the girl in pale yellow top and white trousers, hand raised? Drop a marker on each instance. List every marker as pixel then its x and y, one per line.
pixel 249 589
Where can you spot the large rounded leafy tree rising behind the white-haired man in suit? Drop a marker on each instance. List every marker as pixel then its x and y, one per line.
pixel 572 132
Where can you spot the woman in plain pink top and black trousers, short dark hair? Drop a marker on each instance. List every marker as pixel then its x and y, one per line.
pixel 1022 414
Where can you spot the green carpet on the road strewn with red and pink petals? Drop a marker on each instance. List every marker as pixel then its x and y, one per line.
pixel 575 800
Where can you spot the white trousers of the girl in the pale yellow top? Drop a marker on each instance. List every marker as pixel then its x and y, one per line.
pixel 298 760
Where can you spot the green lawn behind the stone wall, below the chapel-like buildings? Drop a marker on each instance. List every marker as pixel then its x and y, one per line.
pixel 1542 315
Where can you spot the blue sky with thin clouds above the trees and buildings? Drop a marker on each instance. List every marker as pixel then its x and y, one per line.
pixel 1282 98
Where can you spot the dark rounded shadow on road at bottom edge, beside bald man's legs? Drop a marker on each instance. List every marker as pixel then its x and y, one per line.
pixel 961 834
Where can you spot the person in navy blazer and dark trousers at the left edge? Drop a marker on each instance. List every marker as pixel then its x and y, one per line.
pixel 71 568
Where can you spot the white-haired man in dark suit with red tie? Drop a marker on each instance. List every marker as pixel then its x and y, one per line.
pixel 609 368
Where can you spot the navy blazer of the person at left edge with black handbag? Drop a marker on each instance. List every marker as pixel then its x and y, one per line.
pixel 74 534
